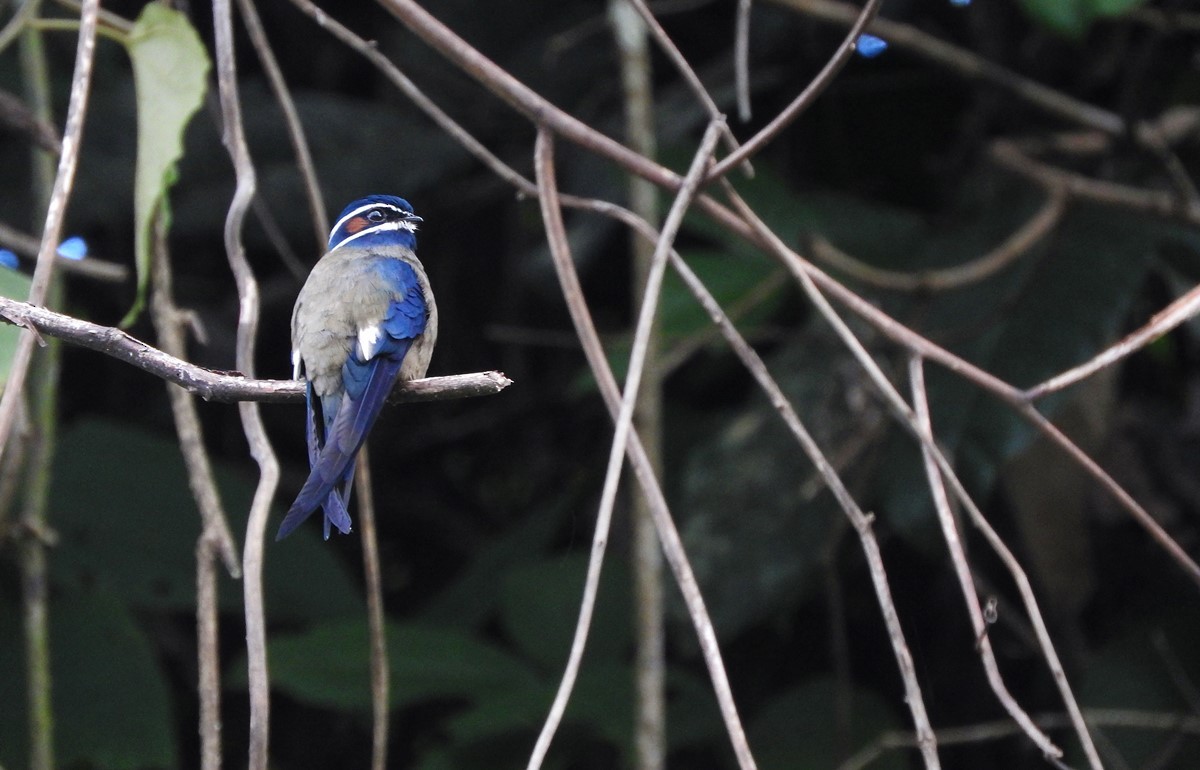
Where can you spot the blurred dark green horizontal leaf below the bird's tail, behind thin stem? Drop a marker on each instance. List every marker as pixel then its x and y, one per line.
pixel 329 666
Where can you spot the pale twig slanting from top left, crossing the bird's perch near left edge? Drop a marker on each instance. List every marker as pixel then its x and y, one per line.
pixel 52 232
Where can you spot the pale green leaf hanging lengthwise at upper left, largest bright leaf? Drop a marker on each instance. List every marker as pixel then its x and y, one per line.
pixel 170 77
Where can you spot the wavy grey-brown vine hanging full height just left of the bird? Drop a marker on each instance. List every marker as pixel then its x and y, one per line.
pixel 233 136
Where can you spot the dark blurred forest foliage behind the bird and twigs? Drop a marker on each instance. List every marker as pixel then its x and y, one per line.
pixel 487 506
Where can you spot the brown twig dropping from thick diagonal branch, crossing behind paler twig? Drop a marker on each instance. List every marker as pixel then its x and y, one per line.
pixel 673 546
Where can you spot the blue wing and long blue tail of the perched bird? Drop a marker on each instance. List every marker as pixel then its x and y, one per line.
pixel 349 418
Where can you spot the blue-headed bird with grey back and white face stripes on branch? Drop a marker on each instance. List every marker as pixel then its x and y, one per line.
pixel 364 320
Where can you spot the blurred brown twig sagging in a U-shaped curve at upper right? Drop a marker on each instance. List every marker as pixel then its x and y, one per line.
pixel 1016 246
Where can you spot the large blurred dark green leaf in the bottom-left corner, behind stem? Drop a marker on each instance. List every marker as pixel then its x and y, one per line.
pixel 111 703
